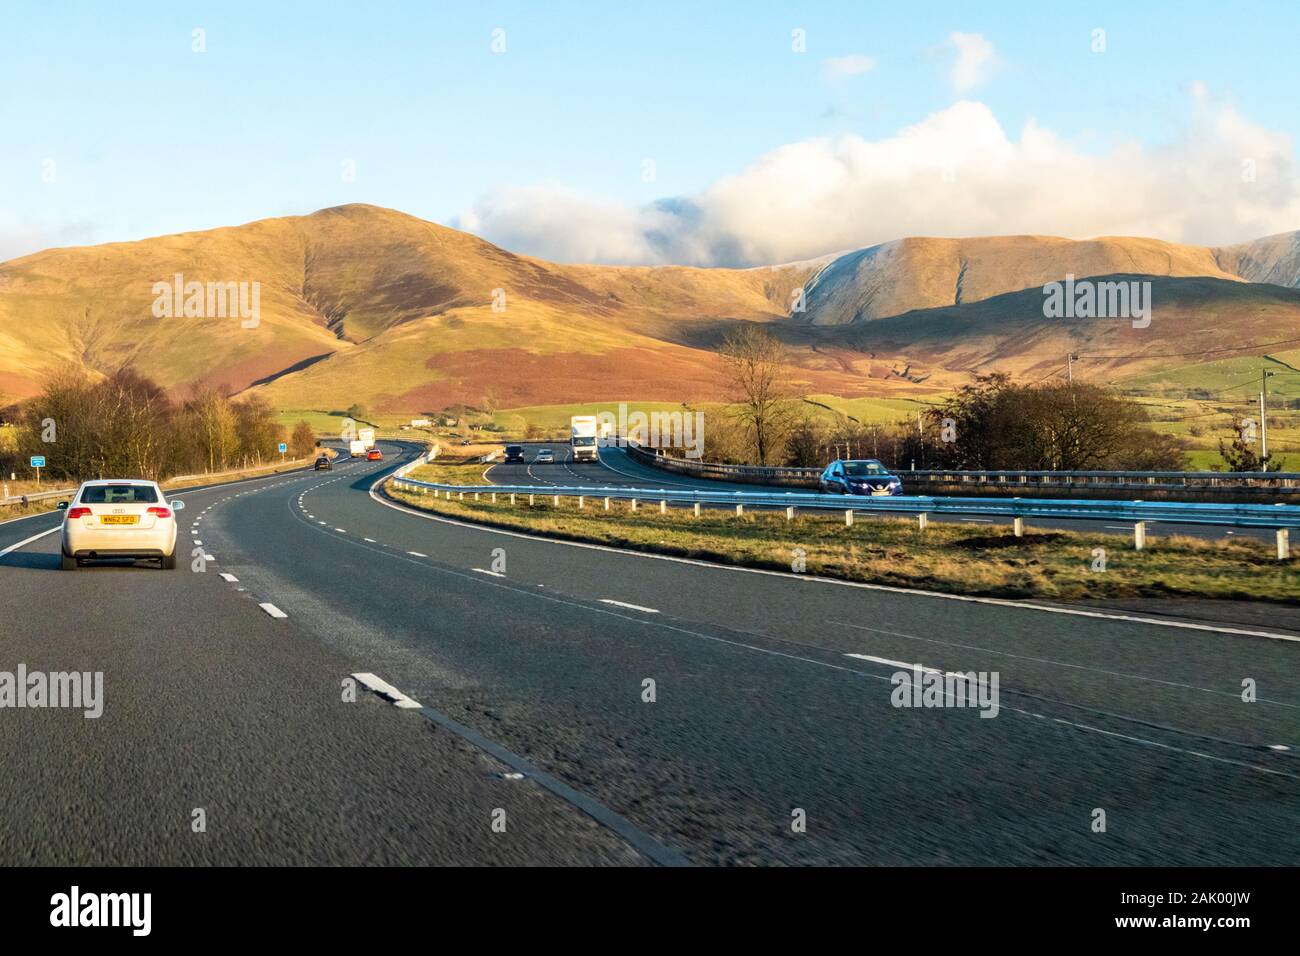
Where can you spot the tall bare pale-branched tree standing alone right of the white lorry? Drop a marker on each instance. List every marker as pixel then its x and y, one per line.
pixel 757 362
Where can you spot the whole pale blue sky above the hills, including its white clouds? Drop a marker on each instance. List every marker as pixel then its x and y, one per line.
pixel 116 129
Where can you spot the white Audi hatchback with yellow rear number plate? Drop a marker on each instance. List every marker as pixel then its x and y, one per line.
pixel 120 520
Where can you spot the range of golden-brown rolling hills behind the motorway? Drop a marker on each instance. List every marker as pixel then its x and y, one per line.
pixel 367 305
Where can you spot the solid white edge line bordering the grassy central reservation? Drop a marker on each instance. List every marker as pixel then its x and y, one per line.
pixel 816 579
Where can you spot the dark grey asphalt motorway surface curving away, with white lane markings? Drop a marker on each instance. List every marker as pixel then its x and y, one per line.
pixel 772 706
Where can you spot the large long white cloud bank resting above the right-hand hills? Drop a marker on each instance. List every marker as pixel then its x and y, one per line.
pixel 955 174
